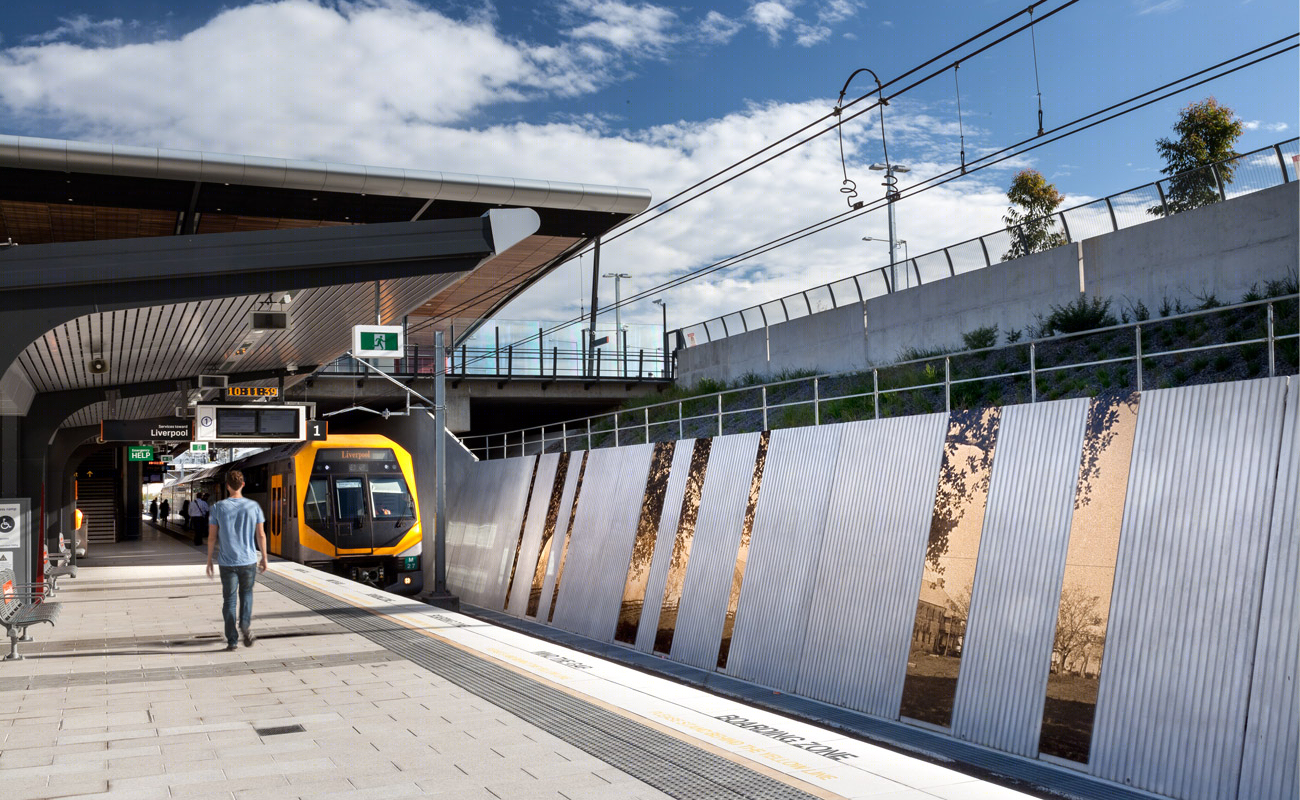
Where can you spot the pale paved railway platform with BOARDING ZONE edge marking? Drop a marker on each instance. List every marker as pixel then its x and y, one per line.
pixel 353 693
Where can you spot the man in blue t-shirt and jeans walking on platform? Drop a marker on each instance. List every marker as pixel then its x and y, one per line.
pixel 240 539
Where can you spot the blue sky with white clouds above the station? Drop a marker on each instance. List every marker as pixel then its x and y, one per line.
pixel 647 94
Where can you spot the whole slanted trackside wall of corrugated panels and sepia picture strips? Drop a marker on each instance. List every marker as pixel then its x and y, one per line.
pixel 1194 490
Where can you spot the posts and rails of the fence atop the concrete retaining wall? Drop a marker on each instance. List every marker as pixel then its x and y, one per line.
pixel 879 276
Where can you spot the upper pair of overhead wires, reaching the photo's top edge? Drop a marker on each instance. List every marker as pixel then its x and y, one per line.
pixel 632 219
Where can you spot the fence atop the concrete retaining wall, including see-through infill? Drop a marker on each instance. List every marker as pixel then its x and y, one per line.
pixel 1250 172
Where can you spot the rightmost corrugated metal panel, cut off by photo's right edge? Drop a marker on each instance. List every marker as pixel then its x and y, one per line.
pixel 1272 738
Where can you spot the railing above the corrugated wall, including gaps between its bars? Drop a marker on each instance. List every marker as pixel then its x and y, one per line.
pixel 1225 343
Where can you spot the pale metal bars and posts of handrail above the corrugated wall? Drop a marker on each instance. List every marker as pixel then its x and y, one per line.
pixel 522 440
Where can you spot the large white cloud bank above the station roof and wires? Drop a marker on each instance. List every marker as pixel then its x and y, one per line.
pixel 363 85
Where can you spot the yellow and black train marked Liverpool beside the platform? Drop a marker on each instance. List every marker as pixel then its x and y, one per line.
pixel 346 505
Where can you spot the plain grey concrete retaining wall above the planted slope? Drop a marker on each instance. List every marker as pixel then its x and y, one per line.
pixel 1219 250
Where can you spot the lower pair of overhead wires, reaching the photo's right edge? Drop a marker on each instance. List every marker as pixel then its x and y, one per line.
pixel 982 163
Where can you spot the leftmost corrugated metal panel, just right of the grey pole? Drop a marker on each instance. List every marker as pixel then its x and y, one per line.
pixel 483 527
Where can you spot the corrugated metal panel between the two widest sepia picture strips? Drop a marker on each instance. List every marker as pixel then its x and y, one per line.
pixel 1013 612
